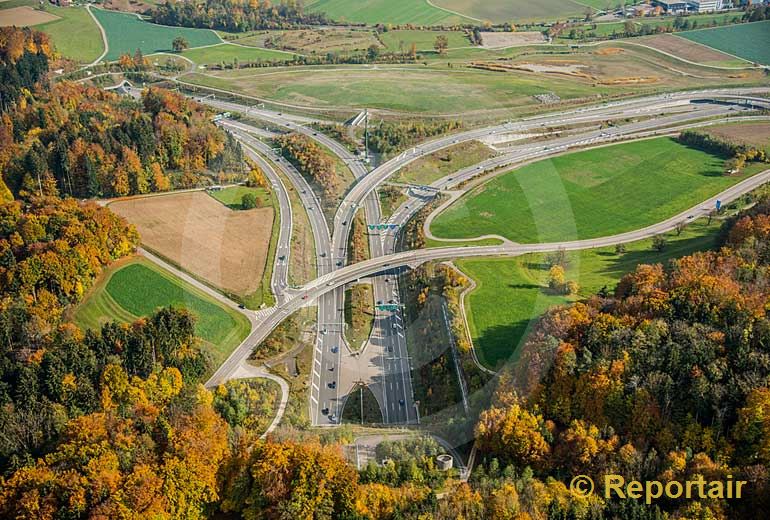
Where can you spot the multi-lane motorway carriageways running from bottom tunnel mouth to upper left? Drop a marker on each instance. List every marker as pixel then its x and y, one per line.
pixel 382 363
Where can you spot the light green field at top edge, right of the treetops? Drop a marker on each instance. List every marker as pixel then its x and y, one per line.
pixel 385 11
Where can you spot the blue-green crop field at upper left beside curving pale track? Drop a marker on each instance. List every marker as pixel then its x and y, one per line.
pixel 126 33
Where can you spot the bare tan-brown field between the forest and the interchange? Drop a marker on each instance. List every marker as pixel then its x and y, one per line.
pixel 224 247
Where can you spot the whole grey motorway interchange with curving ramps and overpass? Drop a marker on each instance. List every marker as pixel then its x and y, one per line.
pixel 384 363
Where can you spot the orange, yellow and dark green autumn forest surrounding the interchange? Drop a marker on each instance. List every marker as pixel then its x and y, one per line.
pixel 666 377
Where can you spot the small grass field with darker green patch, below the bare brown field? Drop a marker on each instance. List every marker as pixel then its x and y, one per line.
pixel 138 288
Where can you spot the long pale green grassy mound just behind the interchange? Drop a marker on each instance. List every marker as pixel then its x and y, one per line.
pixel 410 89
